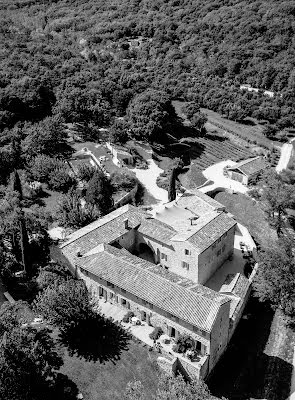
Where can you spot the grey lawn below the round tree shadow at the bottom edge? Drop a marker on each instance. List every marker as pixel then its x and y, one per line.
pixel 108 381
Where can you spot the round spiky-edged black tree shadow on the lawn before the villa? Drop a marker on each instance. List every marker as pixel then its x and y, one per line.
pixel 95 338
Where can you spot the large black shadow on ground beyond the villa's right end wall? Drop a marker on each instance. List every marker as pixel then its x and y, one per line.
pixel 245 371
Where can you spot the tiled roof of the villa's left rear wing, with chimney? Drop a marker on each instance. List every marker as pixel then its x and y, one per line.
pixel 104 230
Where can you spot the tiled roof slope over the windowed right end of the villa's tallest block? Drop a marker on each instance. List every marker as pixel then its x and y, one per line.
pixel 212 231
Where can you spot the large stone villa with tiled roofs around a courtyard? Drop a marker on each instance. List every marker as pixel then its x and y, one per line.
pixel 157 265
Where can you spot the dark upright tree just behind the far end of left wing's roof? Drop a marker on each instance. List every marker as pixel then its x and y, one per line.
pixel 99 193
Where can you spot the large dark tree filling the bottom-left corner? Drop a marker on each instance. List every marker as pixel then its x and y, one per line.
pixel 28 359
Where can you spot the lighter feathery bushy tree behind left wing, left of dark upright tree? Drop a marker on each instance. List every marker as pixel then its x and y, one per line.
pixel 71 212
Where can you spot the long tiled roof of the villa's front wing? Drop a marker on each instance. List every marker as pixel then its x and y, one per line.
pixel 190 306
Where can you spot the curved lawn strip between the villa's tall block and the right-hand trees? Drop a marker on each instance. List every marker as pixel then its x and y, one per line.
pixel 249 213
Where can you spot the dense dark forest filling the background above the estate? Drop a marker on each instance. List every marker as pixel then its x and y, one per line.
pixel 91 61
